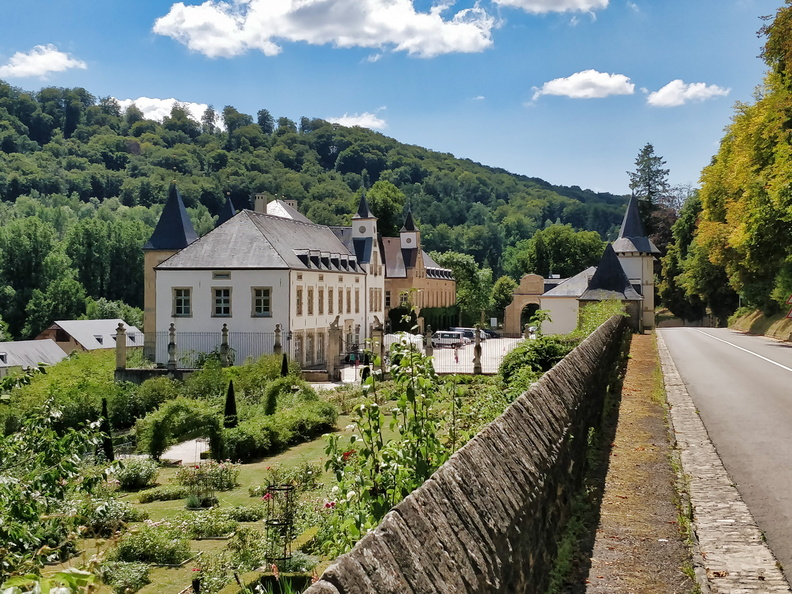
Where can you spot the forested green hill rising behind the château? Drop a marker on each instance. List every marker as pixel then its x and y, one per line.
pixel 68 157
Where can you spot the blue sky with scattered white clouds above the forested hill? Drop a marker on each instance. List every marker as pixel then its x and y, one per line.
pixel 565 90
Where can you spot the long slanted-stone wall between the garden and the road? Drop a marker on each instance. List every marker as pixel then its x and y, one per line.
pixel 488 519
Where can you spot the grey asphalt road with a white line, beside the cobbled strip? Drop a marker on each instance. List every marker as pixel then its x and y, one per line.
pixel 742 388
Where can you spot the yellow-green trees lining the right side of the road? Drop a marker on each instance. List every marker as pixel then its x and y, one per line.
pixel 734 243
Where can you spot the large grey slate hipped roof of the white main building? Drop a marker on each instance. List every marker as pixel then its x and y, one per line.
pixel 253 240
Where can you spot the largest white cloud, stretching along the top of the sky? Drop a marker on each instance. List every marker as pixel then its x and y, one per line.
pixel 219 28
